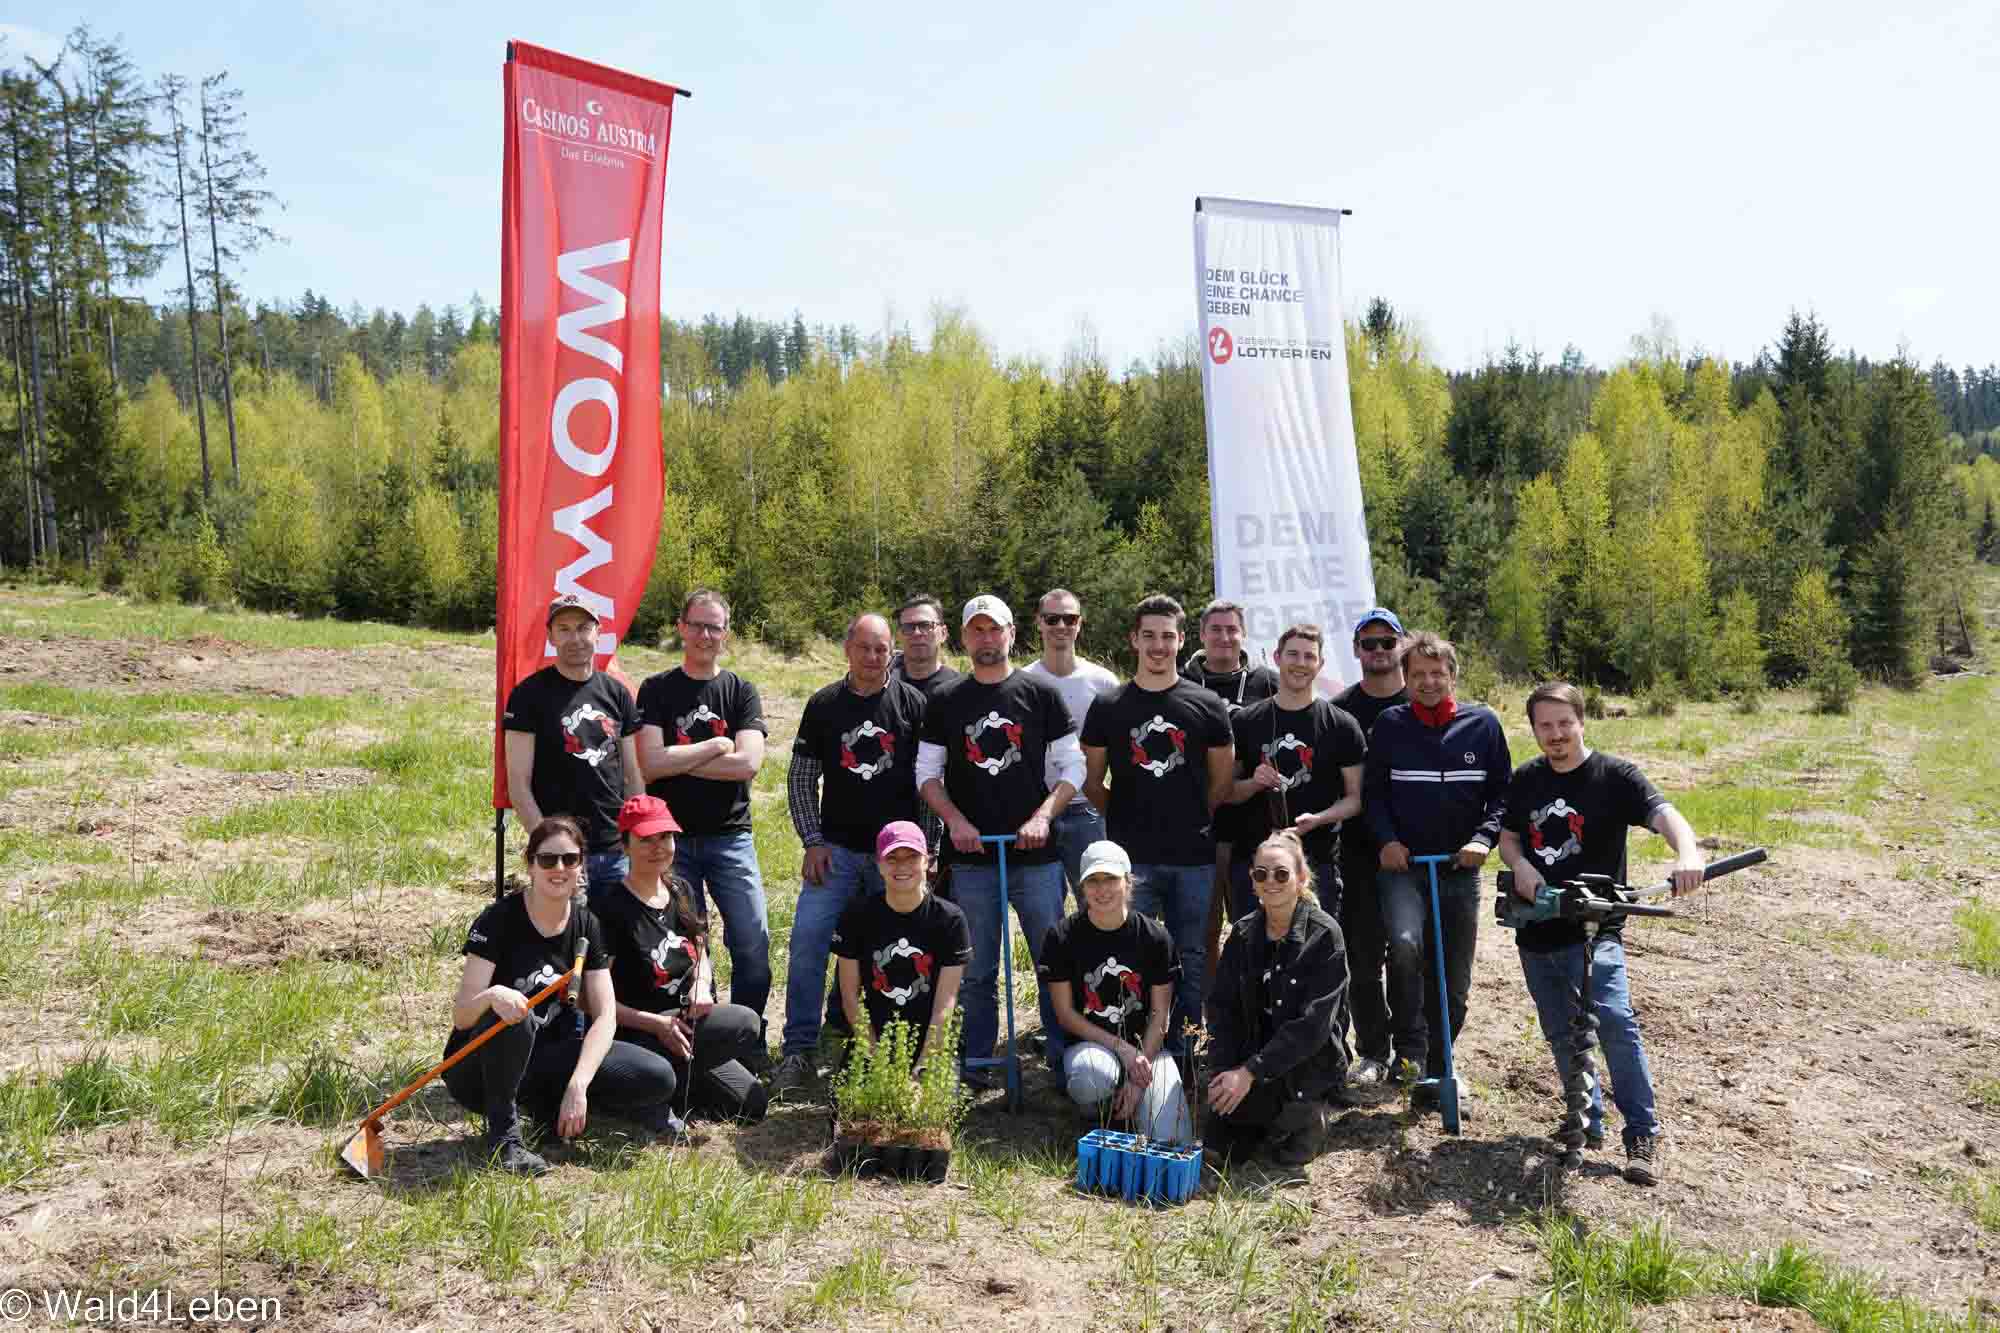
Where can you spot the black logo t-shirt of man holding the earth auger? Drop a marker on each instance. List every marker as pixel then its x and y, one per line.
pixel 1575 824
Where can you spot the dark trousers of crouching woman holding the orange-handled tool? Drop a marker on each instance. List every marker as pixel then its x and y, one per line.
pixel 529 1066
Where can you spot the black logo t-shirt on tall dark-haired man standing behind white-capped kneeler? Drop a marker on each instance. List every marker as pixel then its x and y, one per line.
pixel 1157 752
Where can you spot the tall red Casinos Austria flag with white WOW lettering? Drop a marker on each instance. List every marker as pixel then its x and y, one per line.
pixel 581 477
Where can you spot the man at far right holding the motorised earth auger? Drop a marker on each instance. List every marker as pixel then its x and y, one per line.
pixel 1567 816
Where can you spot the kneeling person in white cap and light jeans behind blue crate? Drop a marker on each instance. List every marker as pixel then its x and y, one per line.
pixel 1123 968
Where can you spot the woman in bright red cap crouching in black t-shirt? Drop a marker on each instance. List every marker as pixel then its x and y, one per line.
pixel 659 950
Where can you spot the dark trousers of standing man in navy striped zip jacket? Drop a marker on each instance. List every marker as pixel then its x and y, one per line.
pixel 1413 958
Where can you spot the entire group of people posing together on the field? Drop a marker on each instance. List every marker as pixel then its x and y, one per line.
pixel 1161 806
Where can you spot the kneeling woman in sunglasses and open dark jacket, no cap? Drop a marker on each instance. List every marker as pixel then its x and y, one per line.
pixel 1273 1016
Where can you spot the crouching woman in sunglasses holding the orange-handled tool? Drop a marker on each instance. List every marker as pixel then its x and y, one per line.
pixel 551 1060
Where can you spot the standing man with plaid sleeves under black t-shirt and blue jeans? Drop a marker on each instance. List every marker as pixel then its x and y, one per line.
pixel 853 774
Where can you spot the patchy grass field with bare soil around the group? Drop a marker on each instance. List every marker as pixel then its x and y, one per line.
pixel 239 854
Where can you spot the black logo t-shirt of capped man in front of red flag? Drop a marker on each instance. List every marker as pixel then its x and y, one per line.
pixel 579 766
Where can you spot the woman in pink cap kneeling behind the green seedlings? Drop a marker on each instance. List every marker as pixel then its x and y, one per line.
pixel 913 946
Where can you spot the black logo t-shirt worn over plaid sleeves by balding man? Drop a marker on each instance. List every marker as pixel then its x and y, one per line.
pixel 867 752
